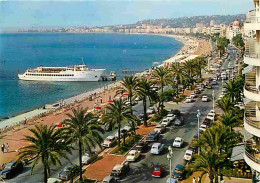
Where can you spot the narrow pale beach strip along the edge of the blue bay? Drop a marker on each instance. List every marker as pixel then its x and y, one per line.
pixel 36 113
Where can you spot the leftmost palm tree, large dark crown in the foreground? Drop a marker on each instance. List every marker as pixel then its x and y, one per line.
pixel 46 145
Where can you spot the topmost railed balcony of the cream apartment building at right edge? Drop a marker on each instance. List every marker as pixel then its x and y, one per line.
pixel 252 52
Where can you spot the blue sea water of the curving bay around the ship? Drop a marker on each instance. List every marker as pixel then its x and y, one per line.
pixel 114 52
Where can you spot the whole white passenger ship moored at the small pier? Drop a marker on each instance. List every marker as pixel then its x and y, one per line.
pixel 74 73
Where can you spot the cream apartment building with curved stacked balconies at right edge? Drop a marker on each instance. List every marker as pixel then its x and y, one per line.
pixel 252 92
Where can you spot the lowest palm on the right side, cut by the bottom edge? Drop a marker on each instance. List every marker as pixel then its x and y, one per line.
pixel 207 162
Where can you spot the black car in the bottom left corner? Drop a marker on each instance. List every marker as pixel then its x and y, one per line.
pixel 11 169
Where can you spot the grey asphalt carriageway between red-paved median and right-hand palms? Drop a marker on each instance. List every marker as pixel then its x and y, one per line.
pixel 142 170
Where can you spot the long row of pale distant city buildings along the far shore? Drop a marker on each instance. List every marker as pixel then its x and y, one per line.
pixel 212 28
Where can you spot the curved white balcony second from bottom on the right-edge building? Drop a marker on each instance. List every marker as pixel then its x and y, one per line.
pixel 252 118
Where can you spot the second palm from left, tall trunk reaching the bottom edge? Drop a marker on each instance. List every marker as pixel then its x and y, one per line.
pixel 83 129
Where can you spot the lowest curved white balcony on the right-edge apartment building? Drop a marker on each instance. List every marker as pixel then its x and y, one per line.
pixel 252 153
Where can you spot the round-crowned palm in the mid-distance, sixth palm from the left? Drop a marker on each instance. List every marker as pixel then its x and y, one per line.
pixel 162 76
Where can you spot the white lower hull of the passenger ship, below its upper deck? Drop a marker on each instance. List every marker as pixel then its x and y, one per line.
pixel 92 75
